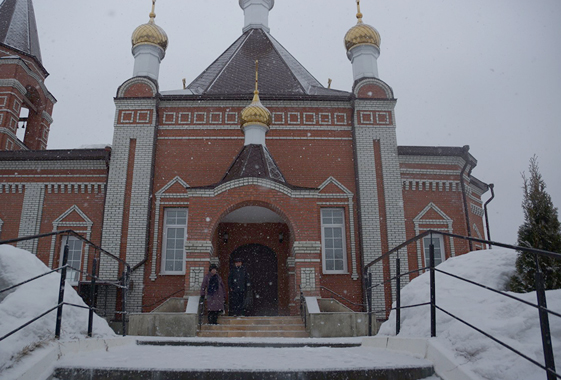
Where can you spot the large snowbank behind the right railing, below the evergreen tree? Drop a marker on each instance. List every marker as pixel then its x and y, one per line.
pixel 510 321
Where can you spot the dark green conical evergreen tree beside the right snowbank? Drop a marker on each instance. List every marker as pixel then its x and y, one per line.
pixel 541 229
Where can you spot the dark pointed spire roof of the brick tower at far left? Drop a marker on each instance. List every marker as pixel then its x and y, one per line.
pixel 18 28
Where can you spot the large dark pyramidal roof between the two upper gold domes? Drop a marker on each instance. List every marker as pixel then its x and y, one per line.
pixel 280 74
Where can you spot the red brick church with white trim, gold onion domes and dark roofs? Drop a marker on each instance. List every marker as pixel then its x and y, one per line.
pixel 260 161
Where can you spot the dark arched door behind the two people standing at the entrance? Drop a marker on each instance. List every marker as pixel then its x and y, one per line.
pixel 261 265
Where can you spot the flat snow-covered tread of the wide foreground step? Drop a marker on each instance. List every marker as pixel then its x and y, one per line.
pixel 241 358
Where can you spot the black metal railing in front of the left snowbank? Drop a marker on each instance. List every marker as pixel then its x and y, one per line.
pixel 122 283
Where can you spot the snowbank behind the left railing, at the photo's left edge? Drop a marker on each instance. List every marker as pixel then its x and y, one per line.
pixel 31 300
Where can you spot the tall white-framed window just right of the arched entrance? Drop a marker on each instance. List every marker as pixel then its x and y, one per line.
pixel 333 240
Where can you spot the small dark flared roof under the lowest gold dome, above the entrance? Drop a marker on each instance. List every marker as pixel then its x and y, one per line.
pixel 254 160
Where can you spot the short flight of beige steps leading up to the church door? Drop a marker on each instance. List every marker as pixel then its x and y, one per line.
pixel 255 327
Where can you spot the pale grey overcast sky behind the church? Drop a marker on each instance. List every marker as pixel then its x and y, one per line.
pixel 483 73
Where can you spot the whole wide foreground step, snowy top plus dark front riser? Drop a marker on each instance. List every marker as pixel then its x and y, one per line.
pixel 246 358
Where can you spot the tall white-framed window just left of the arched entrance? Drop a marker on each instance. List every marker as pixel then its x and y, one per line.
pixel 175 234
